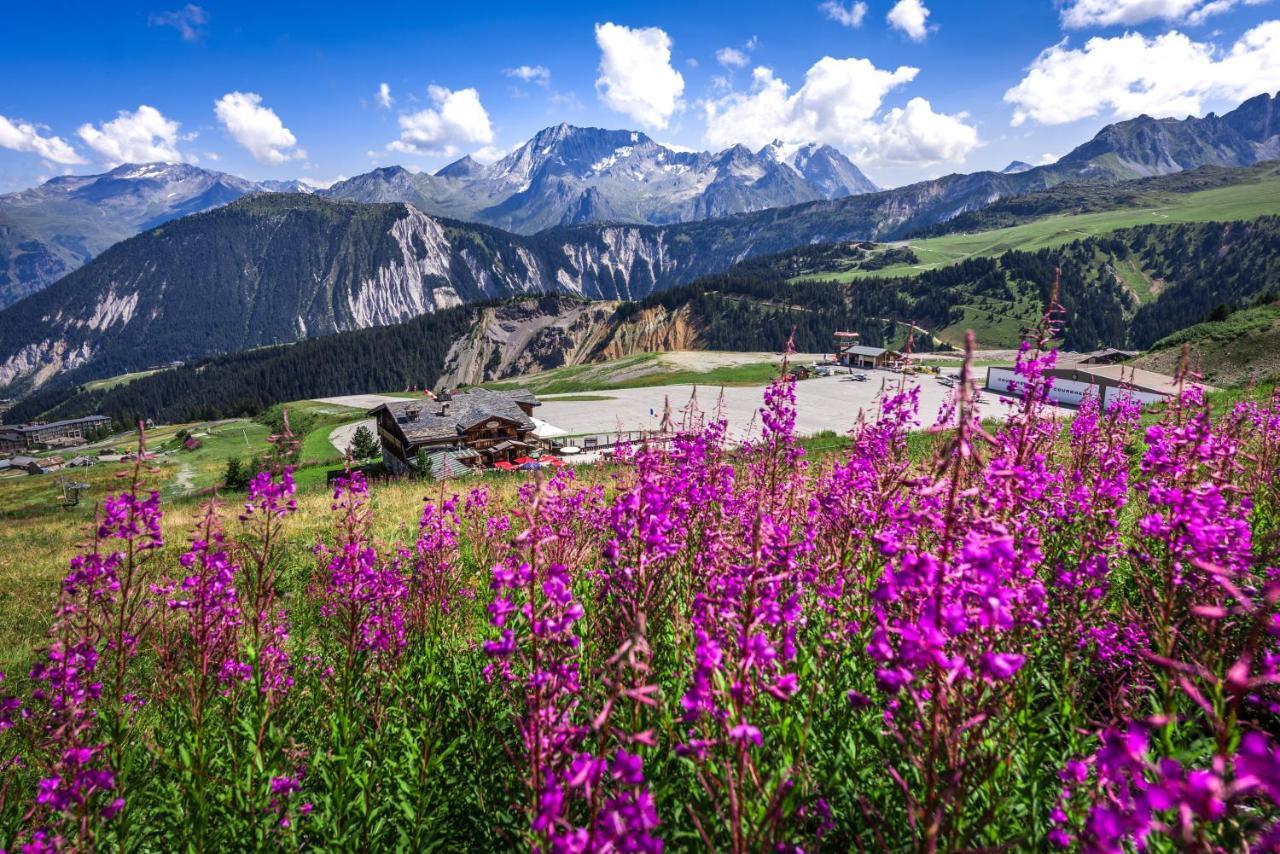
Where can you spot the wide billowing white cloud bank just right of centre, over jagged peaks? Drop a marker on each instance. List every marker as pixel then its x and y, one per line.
pixel 840 104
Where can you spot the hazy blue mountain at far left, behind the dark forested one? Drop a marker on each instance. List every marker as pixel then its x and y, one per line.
pixel 52 230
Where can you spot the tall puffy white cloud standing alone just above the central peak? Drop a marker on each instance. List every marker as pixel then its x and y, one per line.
pixel 637 77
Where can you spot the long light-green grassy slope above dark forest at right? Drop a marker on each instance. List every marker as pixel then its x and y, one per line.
pixel 1241 202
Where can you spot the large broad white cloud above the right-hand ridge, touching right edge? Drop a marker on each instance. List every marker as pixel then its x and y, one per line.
pixel 1169 75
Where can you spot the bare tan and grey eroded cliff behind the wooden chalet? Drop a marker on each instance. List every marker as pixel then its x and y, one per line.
pixel 532 336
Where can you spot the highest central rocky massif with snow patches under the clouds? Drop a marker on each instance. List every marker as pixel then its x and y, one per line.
pixel 569 175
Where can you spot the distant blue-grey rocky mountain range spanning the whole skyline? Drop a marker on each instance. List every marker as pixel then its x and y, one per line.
pixel 568 175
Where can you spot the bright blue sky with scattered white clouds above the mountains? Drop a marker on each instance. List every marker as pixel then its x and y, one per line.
pixel 909 89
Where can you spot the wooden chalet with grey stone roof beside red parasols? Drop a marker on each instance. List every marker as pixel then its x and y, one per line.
pixel 458 433
